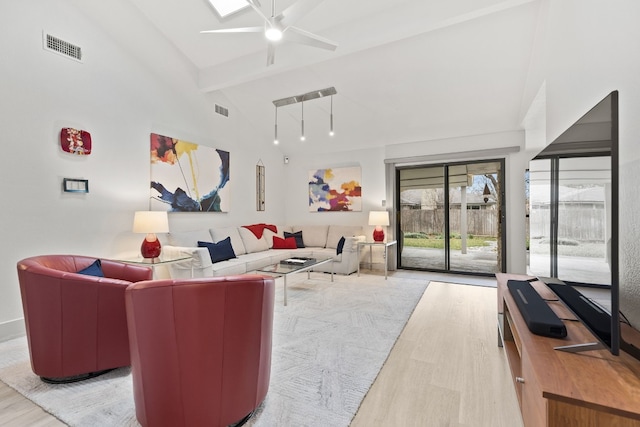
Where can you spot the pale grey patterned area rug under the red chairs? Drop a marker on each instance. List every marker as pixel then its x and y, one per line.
pixel 329 344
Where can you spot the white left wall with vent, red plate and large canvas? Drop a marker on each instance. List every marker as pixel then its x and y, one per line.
pixel 120 101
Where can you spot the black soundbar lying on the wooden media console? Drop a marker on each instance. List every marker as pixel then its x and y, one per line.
pixel 535 311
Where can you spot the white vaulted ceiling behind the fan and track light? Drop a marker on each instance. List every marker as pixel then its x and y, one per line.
pixel 405 70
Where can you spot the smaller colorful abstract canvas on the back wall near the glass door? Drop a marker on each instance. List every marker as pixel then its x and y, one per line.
pixel 335 190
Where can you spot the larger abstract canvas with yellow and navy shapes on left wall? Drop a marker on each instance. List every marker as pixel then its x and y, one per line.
pixel 187 177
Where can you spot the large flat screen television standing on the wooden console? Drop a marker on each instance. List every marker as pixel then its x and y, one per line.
pixel 572 210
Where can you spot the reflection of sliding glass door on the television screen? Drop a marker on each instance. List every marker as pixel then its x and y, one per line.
pixel 570 218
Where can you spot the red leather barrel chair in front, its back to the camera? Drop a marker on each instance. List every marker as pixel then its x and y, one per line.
pixel 200 349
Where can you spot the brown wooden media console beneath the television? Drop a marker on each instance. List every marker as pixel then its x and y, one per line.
pixel 561 389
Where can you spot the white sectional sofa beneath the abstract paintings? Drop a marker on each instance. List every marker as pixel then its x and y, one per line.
pixel 253 253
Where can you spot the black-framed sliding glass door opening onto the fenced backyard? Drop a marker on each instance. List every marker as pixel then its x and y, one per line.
pixel 449 217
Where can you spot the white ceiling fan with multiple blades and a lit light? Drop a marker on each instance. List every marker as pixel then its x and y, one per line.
pixel 281 26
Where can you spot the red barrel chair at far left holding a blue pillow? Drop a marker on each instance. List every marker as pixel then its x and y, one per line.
pixel 76 324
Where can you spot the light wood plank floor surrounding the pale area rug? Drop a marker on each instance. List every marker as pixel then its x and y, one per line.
pixel 445 370
